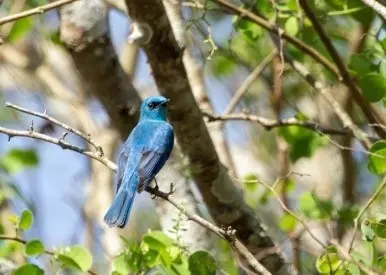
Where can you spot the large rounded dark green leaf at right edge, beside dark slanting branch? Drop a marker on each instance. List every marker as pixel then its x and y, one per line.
pixel 373 86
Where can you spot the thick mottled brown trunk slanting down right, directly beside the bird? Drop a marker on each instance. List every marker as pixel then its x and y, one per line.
pixel 224 201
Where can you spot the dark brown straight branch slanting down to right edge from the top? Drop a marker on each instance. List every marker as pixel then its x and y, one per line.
pixel 366 108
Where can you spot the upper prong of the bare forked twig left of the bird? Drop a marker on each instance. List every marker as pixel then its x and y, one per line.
pixel 57 122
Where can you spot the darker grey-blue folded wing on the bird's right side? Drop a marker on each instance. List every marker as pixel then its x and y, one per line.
pixel 155 155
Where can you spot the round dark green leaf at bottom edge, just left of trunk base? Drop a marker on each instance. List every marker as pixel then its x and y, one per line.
pixel 202 263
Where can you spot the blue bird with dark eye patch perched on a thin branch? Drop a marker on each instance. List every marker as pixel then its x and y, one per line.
pixel 144 153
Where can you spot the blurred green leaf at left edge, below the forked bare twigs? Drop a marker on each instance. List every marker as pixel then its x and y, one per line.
pixel 17 159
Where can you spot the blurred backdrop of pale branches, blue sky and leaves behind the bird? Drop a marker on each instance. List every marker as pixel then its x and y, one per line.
pixel 69 193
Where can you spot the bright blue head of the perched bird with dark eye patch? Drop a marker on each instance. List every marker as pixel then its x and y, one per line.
pixel 154 107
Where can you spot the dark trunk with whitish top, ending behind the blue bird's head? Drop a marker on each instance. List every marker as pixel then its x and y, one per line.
pixel 84 30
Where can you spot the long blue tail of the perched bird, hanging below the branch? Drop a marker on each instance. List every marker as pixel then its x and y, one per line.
pixel 119 211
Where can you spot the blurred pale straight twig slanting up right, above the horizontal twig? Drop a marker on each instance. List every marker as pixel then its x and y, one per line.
pixel 247 83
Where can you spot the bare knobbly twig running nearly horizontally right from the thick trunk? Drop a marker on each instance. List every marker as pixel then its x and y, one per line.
pixel 269 124
